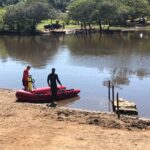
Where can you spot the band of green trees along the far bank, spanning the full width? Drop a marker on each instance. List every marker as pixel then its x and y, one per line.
pixel 24 15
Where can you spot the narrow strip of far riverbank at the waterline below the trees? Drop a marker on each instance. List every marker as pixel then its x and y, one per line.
pixel 80 31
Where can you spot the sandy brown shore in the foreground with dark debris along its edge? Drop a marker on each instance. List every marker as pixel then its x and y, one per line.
pixel 25 126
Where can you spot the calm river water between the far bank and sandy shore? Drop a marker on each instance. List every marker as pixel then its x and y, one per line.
pixel 84 62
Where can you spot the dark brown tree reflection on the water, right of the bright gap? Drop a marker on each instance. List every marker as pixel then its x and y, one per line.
pixel 108 44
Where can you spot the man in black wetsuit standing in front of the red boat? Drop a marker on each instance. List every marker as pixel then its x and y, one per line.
pixel 52 80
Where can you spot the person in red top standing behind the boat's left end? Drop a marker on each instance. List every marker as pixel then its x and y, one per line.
pixel 25 77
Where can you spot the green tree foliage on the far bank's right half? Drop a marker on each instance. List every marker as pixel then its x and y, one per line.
pixel 108 12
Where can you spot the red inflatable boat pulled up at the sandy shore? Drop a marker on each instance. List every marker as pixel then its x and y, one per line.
pixel 43 95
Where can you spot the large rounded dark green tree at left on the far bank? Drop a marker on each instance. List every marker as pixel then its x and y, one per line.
pixel 23 17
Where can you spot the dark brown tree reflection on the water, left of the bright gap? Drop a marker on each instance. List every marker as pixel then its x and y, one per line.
pixel 33 50
